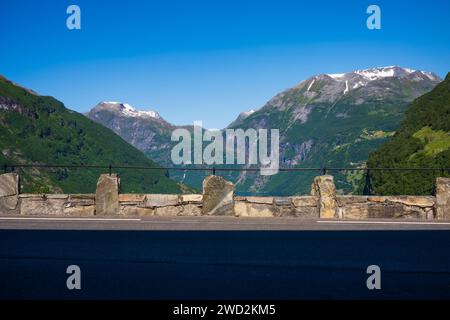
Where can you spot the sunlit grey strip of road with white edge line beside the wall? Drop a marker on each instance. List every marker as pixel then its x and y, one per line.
pixel 212 223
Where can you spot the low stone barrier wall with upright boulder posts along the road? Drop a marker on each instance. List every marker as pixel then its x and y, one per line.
pixel 218 199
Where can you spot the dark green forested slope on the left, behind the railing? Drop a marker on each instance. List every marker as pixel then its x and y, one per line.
pixel 40 130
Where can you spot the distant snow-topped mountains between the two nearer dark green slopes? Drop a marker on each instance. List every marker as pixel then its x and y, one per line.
pixel 327 120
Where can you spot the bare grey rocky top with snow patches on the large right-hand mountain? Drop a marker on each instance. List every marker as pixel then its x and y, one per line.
pixel 373 83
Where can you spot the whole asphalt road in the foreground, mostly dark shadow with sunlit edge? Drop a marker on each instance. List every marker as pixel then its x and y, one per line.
pixel 315 260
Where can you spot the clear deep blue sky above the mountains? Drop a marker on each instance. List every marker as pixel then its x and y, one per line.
pixel 209 60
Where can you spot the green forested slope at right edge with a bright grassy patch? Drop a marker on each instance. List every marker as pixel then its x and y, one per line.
pixel 423 140
